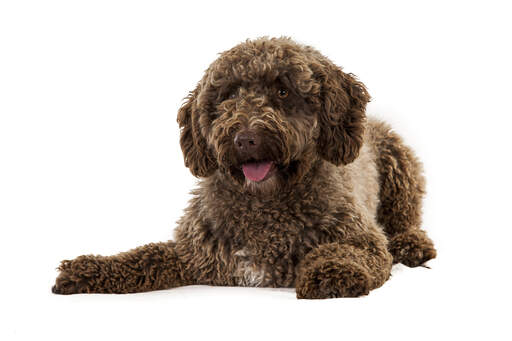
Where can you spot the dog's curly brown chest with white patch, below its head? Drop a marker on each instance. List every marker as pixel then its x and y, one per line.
pixel 237 241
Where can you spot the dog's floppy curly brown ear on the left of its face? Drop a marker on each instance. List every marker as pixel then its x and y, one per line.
pixel 197 155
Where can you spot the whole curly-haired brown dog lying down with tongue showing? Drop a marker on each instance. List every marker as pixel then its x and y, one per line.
pixel 298 189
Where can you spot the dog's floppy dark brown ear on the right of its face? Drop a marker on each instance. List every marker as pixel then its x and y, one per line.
pixel 342 115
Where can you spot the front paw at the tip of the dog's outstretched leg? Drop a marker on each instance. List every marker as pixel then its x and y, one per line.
pixel 77 276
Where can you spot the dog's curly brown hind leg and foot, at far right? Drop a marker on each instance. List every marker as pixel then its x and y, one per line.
pixel 402 187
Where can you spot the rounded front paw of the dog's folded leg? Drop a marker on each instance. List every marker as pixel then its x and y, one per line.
pixel 329 279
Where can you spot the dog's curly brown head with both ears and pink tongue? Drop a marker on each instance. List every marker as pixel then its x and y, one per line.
pixel 267 110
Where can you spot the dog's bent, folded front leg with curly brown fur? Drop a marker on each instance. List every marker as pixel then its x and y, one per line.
pixel 347 269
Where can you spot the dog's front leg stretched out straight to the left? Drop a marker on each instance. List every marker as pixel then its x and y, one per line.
pixel 149 267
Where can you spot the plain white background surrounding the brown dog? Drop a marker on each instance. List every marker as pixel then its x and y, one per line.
pixel 90 161
